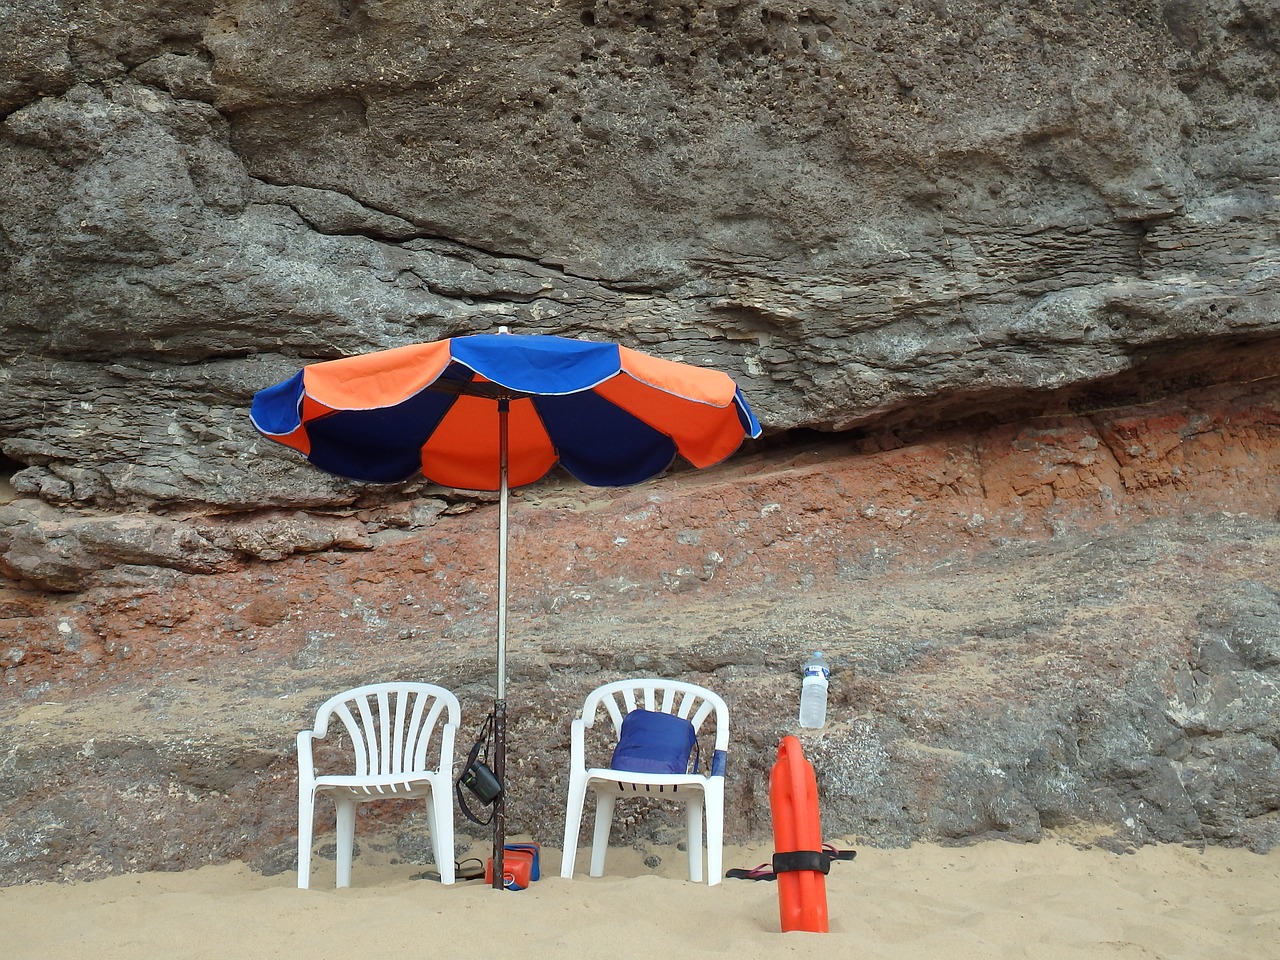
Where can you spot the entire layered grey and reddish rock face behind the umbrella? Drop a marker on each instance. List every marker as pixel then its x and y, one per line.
pixel 1003 286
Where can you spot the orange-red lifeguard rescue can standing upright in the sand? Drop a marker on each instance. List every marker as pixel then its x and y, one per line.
pixel 798 842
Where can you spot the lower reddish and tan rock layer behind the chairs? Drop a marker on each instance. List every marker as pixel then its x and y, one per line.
pixel 1058 628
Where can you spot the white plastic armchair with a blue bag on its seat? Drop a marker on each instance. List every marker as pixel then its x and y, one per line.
pixel 700 793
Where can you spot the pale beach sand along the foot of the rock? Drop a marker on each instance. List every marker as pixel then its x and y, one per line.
pixel 989 900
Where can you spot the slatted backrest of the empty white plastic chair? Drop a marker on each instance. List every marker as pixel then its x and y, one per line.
pixel 390 725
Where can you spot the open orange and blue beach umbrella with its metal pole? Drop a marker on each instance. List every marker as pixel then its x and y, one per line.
pixel 493 412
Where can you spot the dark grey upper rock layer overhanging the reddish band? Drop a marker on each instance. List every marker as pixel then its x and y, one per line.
pixel 854 211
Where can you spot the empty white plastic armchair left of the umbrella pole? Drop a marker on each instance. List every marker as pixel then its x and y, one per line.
pixel 391 728
